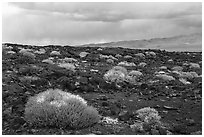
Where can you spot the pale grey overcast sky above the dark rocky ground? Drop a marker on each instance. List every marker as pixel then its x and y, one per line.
pixel 82 23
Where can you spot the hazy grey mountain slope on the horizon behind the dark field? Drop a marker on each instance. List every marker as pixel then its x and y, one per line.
pixel 192 42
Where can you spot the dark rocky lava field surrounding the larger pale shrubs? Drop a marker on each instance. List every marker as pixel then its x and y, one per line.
pixel 169 82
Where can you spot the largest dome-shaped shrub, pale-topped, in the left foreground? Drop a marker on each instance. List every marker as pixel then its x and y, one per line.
pixel 59 109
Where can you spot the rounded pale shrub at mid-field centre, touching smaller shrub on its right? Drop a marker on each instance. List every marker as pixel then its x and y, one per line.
pixel 117 74
